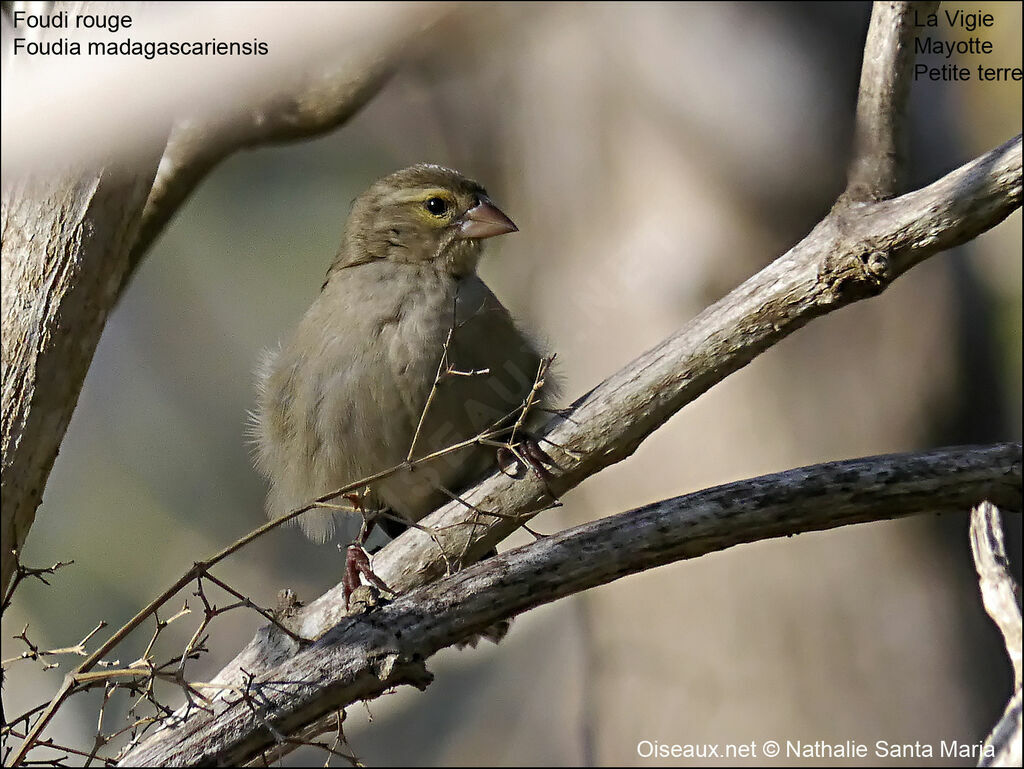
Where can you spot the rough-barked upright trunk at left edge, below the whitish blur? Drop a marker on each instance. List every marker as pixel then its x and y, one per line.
pixel 66 242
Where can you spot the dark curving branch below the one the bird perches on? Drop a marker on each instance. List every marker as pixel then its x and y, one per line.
pixel 365 656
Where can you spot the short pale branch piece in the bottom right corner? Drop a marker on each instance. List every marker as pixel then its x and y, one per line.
pixel 1002 599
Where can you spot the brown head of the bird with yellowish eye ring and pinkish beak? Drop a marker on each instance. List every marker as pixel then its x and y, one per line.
pixel 422 215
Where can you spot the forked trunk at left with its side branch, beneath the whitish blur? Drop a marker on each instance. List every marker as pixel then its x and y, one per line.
pixel 72 239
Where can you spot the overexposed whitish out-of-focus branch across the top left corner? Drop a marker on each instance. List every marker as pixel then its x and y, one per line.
pixel 296 51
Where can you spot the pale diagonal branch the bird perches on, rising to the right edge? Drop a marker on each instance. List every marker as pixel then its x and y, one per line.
pixel 848 257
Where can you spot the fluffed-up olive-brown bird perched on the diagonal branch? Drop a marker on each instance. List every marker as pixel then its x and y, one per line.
pixel 405 353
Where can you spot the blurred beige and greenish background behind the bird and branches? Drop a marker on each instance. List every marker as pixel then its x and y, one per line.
pixel 654 156
